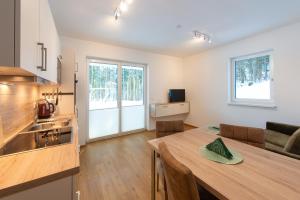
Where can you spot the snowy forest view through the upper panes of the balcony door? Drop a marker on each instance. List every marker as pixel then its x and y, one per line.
pixel 103 91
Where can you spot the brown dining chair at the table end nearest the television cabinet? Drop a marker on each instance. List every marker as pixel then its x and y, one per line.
pixel 165 128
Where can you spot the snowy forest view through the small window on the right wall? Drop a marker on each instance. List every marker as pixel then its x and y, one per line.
pixel 252 78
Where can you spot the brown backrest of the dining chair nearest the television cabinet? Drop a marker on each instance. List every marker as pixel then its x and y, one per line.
pixel 164 128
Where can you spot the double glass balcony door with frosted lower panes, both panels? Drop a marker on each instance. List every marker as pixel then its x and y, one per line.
pixel 116 98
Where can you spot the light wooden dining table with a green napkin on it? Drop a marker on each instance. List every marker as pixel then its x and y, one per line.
pixel 261 175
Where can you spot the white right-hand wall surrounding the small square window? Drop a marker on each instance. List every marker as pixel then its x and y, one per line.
pixel 206 81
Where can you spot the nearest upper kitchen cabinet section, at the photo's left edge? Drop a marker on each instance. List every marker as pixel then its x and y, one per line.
pixel 19 34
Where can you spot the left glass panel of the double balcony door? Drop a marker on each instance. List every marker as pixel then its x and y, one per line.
pixel 103 99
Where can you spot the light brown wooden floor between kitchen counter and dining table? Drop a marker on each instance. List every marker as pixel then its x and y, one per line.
pixel 117 169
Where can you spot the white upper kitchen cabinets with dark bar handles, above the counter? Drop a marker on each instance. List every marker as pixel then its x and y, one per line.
pixel 29 38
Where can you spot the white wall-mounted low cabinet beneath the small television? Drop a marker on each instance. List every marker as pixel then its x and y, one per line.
pixel 170 109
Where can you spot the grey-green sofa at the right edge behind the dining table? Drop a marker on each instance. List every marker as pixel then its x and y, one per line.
pixel 283 139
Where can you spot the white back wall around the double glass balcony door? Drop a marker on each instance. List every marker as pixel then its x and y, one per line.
pixel 164 72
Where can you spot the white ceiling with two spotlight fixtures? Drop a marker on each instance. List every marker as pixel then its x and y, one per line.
pixel 151 24
